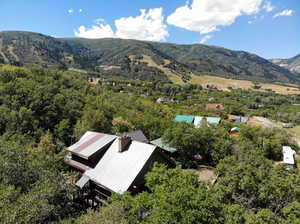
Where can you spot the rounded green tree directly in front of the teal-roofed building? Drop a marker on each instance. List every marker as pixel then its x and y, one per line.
pixel 211 142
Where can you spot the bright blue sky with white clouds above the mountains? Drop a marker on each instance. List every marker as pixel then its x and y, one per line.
pixel 268 28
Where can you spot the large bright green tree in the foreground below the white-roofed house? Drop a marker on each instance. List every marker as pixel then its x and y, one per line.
pixel 174 196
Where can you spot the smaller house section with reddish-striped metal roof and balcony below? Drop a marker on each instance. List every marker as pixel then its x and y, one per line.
pixel 87 152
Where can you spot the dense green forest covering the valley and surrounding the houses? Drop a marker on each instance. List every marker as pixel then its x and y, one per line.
pixel 43 111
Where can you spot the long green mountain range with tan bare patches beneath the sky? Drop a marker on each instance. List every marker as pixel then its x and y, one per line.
pixel 143 60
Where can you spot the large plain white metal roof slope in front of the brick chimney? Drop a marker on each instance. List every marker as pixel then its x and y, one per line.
pixel 116 171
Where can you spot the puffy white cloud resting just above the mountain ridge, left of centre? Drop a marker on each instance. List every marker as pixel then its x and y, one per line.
pixel 149 25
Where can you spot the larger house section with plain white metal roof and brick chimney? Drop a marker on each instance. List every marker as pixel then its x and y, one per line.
pixel 121 168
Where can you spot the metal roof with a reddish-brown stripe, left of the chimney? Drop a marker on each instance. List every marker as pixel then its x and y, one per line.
pixel 90 143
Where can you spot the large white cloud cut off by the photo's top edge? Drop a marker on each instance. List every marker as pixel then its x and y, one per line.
pixel 206 16
